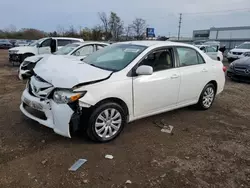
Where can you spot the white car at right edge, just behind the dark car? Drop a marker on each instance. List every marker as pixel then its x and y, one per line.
pixel 238 51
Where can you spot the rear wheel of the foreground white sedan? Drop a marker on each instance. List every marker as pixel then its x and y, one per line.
pixel 207 97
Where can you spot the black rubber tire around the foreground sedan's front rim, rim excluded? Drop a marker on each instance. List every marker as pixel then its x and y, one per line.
pixel 91 132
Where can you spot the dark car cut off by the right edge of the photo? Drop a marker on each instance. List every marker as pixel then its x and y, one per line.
pixel 239 70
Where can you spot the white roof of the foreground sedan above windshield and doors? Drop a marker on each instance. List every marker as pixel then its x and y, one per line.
pixel 155 43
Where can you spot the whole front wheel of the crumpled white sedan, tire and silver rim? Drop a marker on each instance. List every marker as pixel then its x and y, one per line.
pixel 106 122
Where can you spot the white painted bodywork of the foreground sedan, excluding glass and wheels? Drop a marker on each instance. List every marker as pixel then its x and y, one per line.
pixel 170 89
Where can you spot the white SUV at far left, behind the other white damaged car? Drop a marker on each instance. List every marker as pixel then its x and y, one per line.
pixel 41 46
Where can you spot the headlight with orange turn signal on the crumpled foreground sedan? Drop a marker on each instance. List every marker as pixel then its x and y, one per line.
pixel 64 96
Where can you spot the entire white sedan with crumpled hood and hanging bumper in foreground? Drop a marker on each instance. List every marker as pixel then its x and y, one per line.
pixel 118 84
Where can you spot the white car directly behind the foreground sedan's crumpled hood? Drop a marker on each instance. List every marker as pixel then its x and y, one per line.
pixel 78 50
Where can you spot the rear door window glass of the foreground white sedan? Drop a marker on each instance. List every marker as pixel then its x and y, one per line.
pixel 189 56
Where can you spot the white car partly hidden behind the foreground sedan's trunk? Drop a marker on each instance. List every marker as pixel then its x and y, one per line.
pixel 211 51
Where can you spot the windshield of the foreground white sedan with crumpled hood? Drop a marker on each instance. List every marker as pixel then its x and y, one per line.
pixel 114 57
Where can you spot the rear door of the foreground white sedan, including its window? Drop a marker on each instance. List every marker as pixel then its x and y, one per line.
pixel 195 74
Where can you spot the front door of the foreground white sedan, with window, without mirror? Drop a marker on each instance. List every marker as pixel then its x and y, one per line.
pixel 159 91
